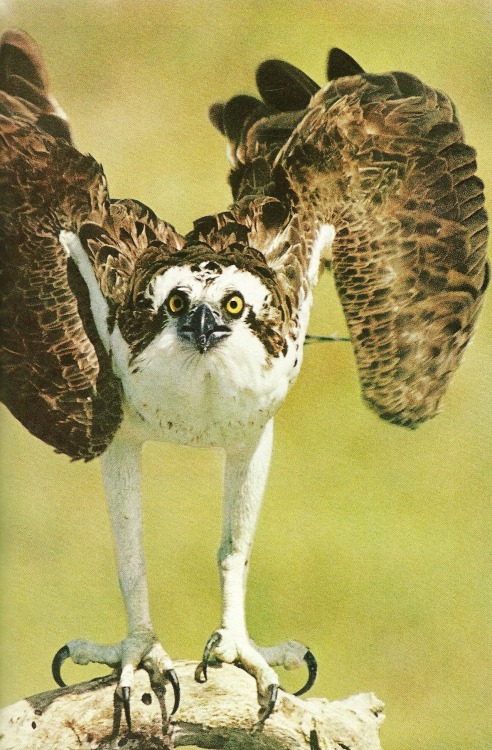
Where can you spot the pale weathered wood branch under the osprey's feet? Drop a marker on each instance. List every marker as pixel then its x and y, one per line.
pixel 220 714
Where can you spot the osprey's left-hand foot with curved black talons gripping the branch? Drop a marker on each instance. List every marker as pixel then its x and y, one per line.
pixel 139 649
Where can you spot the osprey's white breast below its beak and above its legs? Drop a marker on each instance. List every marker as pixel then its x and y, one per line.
pixel 219 398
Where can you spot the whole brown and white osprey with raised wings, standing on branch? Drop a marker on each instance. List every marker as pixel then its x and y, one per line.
pixel 116 329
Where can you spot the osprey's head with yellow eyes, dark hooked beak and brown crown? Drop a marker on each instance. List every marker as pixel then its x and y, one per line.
pixel 207 300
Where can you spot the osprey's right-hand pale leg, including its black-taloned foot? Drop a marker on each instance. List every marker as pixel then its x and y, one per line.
pixel 245 478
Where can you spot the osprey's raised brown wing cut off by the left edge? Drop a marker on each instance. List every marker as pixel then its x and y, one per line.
pixel 56 376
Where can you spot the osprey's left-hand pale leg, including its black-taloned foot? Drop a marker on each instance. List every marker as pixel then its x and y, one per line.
pixel 121 468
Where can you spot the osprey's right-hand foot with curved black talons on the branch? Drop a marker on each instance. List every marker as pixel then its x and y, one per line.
pixel 224 646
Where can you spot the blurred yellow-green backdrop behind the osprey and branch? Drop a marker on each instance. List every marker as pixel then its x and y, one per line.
pixel 374 542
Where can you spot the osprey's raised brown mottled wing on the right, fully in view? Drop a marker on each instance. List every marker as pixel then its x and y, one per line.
pixel 383 160
